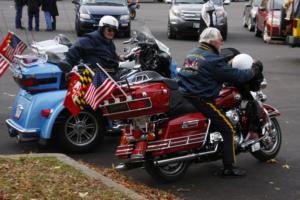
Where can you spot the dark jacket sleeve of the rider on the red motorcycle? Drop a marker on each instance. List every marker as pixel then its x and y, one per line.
pixel 225 73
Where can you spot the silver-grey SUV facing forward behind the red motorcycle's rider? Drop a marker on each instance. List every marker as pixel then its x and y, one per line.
pixel 184 17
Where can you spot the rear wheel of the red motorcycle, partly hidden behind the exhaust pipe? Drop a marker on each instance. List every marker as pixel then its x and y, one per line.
pixel 167 173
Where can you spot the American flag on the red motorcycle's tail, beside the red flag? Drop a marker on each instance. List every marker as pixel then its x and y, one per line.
pixel 101 87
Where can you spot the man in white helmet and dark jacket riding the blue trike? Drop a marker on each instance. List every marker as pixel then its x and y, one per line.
pixel 97 47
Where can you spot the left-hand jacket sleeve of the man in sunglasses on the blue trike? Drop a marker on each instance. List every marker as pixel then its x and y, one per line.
pixel 78 50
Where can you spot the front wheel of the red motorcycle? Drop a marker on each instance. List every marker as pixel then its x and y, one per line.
pixel 268 151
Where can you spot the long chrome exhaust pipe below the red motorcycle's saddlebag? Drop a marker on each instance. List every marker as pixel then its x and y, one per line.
pixel 183 158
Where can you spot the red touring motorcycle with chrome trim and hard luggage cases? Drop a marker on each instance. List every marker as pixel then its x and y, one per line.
pixel 170 132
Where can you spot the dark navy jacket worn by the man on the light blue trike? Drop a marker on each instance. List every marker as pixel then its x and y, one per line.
pixel 92 48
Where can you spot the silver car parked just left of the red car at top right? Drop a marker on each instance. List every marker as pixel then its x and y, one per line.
pixel 249 14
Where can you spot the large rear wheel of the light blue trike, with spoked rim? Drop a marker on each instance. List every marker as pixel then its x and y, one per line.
pixel 81 133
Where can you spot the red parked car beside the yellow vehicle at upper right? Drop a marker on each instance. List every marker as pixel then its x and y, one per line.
pixel 268 20
